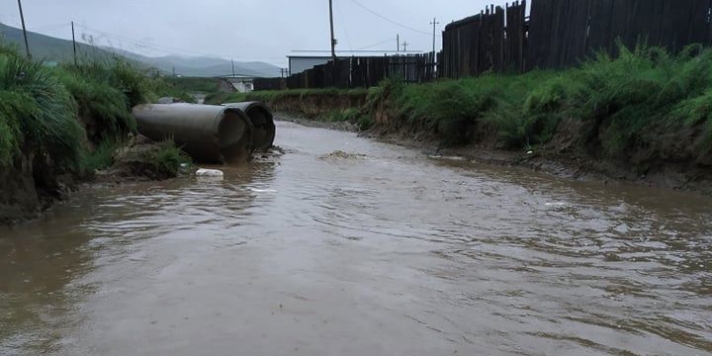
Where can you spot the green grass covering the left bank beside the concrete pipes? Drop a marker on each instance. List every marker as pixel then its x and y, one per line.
pixel 70 118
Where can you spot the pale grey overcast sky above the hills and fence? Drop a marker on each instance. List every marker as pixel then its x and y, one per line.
pixel 245 30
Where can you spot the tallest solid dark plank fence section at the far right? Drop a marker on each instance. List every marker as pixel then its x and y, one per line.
pixel 562 32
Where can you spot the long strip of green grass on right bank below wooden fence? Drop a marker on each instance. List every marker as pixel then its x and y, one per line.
pixel 621 101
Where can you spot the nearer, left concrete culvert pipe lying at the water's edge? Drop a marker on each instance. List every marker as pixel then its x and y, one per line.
pixel 209 134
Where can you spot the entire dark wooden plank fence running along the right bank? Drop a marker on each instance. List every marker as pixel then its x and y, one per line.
pixel 557 34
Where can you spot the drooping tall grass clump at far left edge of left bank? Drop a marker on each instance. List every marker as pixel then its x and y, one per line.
pixel 37 114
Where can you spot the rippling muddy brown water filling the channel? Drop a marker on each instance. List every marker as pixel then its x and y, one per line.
pixel 390 253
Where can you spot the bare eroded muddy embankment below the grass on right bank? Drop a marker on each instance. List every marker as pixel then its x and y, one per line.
pixel 575 150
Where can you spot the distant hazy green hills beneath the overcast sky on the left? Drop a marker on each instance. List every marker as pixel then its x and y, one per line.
pixel 59 50
